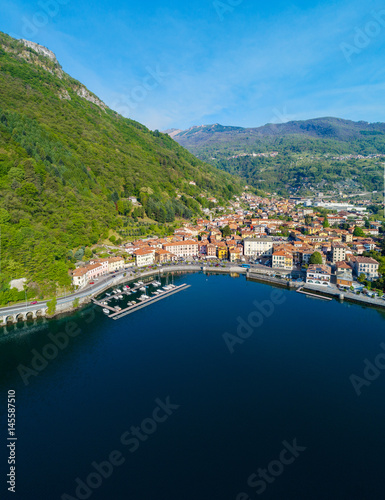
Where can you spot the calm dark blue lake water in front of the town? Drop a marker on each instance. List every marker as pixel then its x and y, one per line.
pixel 288 380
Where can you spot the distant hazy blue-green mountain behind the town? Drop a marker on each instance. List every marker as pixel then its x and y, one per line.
pixel 313 154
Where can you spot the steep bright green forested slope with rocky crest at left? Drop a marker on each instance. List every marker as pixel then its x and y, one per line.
pixel 68 165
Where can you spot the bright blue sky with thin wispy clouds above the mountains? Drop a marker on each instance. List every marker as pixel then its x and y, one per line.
pixel 238 62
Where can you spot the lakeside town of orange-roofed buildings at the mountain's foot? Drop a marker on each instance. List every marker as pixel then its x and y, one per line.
pixel 283 235
